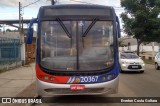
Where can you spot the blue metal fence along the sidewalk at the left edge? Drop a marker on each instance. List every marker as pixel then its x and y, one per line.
pixel 9 50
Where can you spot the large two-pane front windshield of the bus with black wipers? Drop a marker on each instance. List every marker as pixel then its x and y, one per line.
pixel 77 45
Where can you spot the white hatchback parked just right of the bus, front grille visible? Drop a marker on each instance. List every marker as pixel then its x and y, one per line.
pixel 131 62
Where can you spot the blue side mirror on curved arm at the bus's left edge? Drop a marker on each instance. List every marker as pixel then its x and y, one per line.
pixel 30 31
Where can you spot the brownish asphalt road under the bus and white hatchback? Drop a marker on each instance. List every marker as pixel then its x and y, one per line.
pixel 131 84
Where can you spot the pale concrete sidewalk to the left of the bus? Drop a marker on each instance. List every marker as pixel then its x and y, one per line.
pixel 15 81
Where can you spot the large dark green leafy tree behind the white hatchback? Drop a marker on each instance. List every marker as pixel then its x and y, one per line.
pixel 141 20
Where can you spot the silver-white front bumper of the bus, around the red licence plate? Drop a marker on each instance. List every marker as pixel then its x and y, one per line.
pixel 46 89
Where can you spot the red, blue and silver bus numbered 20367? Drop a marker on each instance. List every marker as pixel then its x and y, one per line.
pixel 77 50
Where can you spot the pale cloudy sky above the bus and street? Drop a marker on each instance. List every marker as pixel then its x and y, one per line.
pixel 9 8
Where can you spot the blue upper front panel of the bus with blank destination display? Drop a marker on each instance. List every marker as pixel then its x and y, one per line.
pixel 79 10
